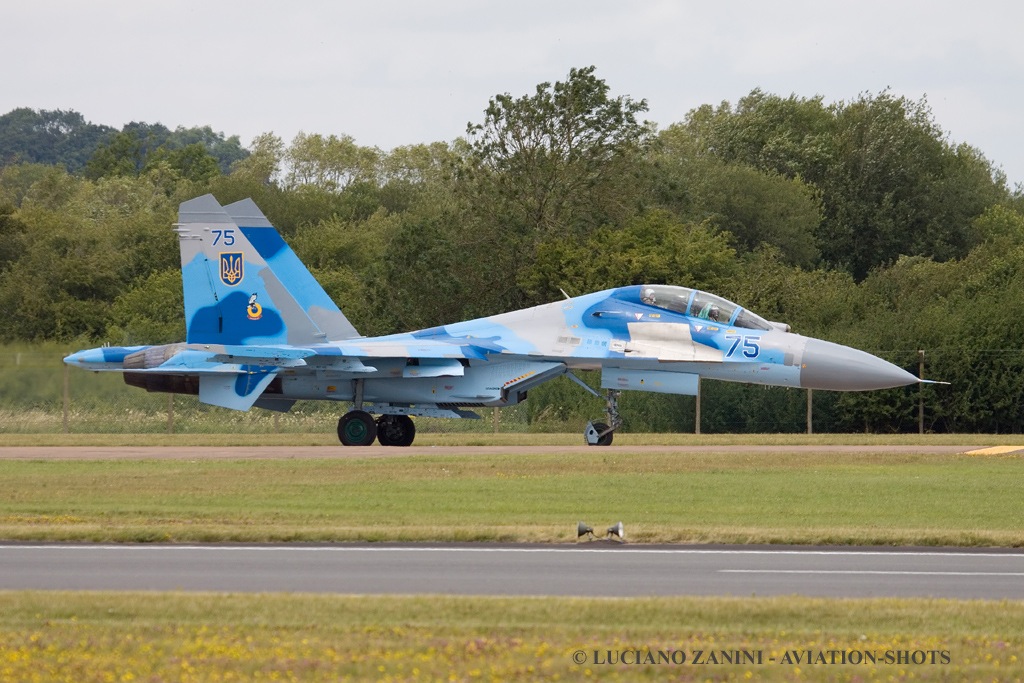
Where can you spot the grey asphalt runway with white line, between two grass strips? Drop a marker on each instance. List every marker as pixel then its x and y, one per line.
pixel 593 570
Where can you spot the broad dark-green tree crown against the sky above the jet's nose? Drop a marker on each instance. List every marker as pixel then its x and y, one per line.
pixel 890 183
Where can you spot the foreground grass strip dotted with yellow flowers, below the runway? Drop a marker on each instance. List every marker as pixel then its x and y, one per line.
pixel 86 637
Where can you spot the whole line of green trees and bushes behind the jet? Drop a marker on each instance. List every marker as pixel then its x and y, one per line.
pixel 858 222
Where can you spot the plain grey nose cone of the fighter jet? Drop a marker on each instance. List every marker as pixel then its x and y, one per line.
pixel 837 368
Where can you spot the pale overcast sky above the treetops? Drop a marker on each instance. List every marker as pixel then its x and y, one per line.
pixel 402 72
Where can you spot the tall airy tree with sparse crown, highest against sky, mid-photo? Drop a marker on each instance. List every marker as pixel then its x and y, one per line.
pixel 552 163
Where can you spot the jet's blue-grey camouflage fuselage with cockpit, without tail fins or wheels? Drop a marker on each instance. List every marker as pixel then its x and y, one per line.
pixel 646 334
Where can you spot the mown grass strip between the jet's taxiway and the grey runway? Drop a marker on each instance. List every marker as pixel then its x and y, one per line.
pixel 734 497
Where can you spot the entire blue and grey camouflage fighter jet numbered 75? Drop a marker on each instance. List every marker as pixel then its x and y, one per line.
pixel 262 331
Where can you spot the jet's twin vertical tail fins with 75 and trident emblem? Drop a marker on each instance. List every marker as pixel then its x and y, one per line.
pixel 243 285
